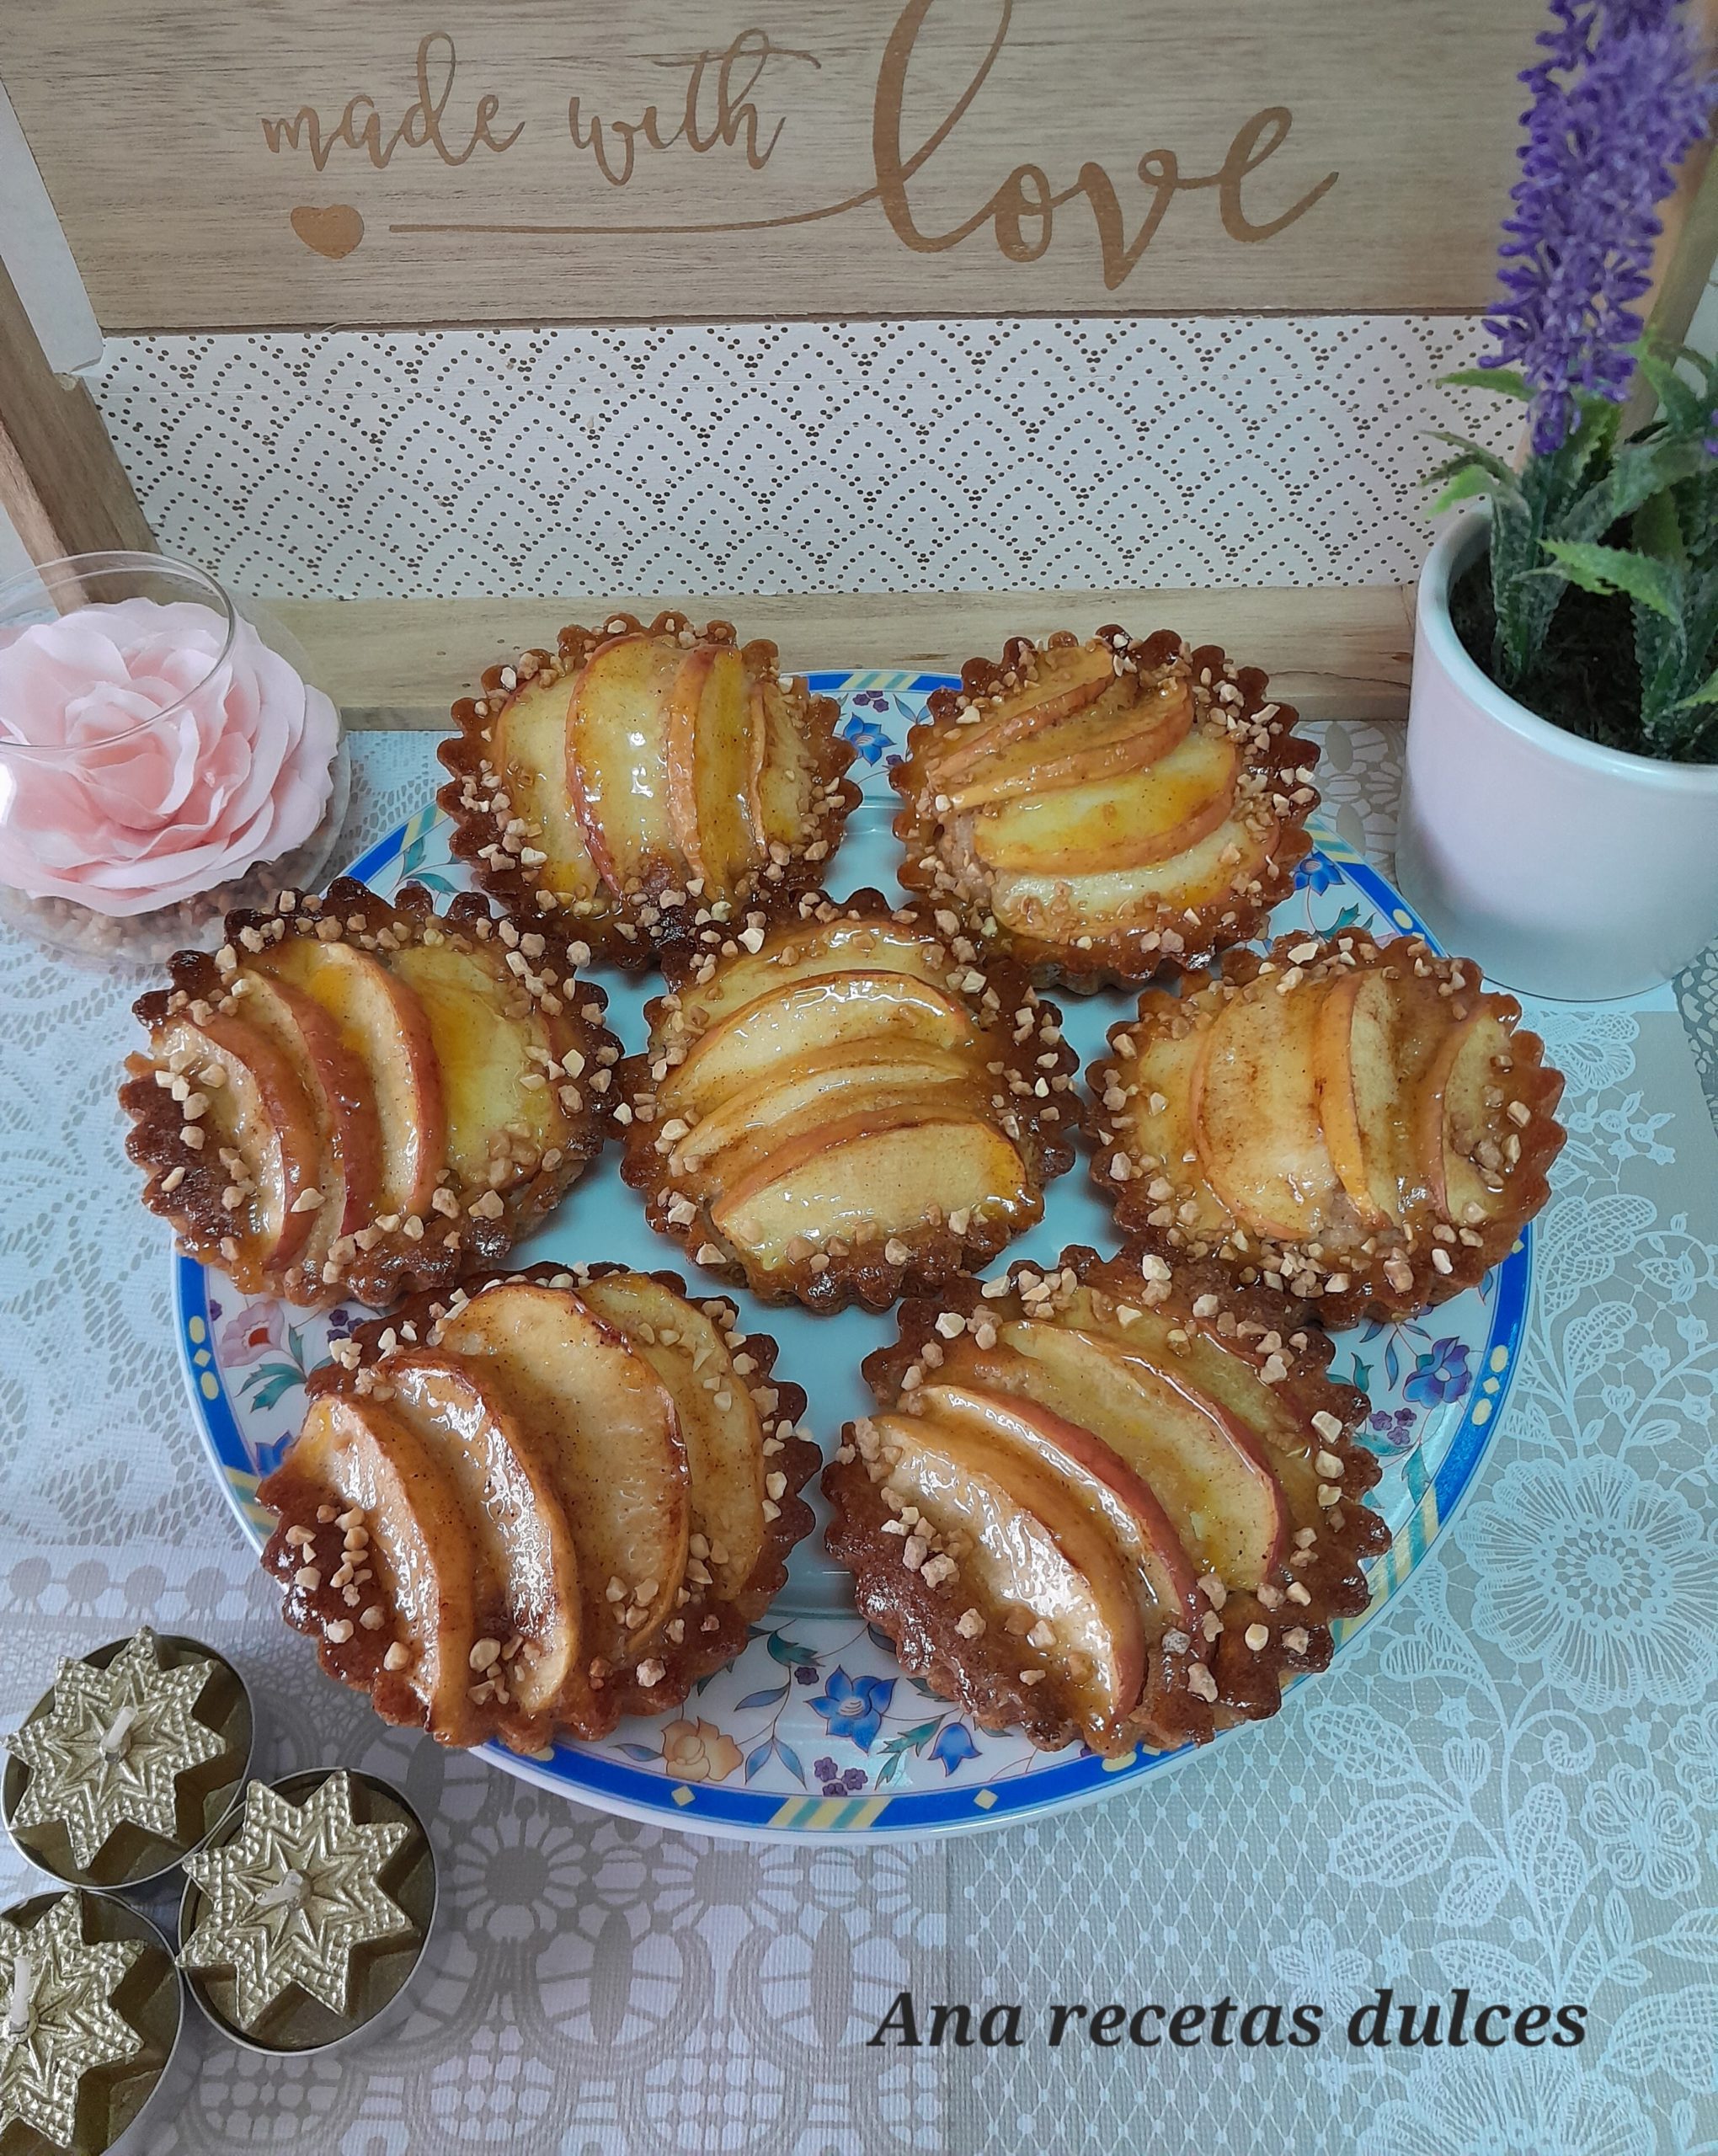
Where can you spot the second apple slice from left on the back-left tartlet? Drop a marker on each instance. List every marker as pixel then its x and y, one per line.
pixel 618 760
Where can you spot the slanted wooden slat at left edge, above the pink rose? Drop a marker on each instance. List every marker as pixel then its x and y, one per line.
pixel 61 482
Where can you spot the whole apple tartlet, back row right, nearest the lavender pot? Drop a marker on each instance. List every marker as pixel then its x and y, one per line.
pixel 1107 810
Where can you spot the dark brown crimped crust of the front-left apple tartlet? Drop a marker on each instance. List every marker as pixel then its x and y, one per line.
pixel 320 1545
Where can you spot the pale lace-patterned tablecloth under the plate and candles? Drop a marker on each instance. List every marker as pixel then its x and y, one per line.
pixel 1510 1784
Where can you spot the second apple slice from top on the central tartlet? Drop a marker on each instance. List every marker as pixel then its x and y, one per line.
pixel 779 1032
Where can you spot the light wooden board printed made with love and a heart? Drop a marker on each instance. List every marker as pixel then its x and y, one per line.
pixel 234 165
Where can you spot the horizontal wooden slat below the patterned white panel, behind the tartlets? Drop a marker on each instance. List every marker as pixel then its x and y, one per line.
pixel 1338 652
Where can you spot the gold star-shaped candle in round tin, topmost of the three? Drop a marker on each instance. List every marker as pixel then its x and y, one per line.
pixel 128 1763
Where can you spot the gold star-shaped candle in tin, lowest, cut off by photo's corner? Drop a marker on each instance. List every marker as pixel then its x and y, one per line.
pixel 89 2021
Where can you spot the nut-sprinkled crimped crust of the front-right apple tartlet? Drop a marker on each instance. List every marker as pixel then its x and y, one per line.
pixel 1228 1650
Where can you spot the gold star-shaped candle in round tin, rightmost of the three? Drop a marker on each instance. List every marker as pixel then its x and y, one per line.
pixel 309 1911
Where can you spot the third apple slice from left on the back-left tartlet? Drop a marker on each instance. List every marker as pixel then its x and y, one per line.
pixel 715 766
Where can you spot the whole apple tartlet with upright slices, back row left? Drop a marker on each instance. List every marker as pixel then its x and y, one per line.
pixel 641 777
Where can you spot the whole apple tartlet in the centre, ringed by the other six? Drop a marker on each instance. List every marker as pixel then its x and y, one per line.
pixel 842 1101
